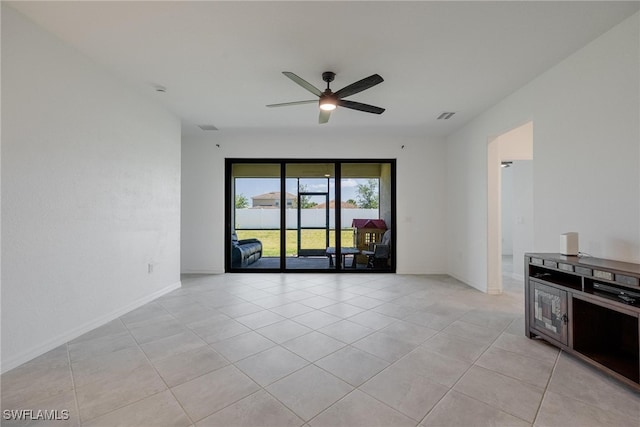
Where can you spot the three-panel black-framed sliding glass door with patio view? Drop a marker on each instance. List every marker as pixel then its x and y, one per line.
pixel 310 215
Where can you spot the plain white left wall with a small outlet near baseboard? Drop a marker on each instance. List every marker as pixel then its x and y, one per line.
pixel 90 194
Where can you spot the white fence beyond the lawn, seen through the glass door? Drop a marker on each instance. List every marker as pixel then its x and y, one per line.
pixel 265 219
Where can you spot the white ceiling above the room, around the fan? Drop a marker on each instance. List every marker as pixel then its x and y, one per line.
pixel 221 62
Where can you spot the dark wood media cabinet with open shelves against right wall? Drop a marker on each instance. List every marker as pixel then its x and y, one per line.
pixel 589 307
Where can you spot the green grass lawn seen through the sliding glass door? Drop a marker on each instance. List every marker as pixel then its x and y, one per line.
pixel 312 239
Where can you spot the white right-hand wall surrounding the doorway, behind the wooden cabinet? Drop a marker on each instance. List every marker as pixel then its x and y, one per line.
pixel 586 151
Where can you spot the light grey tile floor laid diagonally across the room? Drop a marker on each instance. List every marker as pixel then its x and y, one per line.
pixel 320 350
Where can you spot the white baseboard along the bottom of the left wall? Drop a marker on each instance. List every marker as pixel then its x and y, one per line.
pixel 64 338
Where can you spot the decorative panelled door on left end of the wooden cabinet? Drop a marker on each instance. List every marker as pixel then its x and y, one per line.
pixel 549 311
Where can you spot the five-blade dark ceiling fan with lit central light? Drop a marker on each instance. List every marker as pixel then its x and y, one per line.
pixel 330 100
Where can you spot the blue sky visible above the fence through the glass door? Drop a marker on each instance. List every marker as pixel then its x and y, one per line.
pixel 251 187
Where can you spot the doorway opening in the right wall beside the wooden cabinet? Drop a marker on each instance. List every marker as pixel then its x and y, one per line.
pixel 510 206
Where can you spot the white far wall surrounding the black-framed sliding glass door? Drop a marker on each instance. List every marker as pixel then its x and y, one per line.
pixel 420 187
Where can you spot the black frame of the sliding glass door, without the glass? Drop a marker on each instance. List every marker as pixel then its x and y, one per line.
pixel 339 268
